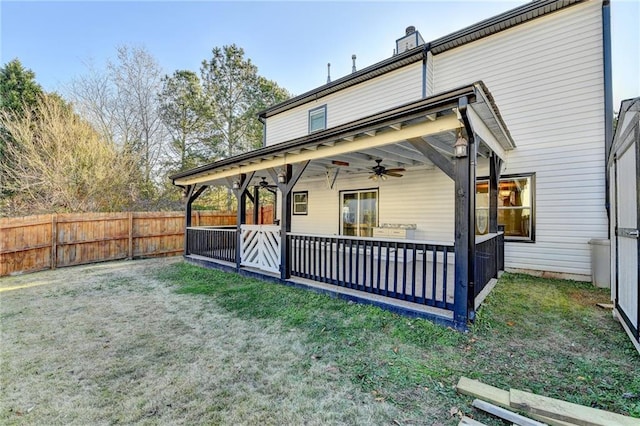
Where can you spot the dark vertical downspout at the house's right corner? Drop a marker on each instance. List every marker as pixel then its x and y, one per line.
pixel 608 98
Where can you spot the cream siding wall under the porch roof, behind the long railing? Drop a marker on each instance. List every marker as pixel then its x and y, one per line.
pixel 422 197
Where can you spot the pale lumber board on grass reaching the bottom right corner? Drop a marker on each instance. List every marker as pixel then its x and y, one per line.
pixel 567 411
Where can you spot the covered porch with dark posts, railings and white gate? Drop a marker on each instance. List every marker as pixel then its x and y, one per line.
pixel 444 279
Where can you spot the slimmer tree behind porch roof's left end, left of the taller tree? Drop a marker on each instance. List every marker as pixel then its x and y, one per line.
pixel 185 113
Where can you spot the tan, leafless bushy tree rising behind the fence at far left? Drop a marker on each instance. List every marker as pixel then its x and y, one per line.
pixel 60 163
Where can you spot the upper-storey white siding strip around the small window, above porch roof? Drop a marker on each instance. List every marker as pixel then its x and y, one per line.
pixel 387 91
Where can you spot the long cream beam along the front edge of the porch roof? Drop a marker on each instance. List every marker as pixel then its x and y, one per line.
pixel 448 122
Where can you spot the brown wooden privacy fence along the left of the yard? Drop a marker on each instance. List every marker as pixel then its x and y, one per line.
pixel 51 241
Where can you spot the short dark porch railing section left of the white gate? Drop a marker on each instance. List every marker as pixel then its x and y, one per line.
pixel 214 242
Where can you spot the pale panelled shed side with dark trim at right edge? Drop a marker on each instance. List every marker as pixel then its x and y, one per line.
pixel 624 172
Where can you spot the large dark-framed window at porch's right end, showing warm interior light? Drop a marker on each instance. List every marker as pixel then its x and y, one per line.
pixel 515 207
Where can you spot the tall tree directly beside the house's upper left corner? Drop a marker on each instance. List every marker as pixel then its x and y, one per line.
pixel 236 92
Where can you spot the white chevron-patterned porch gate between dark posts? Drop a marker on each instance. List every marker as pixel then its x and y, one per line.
pixel 260 247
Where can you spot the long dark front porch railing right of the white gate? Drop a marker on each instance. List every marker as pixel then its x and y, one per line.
pixel 415 271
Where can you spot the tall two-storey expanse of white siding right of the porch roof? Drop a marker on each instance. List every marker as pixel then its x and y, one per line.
pixel 547 80
